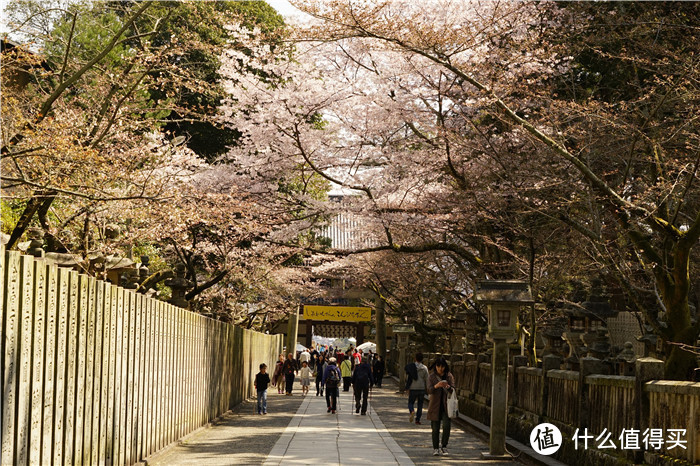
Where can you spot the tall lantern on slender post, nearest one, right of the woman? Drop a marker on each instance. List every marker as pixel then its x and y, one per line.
pixel 503 299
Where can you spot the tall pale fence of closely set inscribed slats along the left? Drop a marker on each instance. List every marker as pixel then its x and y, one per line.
pixel 96 374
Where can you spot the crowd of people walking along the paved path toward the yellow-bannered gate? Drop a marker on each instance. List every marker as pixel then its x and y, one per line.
pixel 331 368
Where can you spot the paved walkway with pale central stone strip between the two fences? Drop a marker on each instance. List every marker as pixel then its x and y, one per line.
pixel 298 430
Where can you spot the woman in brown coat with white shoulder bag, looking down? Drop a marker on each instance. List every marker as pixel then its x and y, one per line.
pixel 440 386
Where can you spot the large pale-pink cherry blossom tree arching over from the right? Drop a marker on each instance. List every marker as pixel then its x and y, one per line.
pixel 448 120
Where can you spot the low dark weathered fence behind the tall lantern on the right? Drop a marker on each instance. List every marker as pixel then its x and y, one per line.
pixel 596 402
